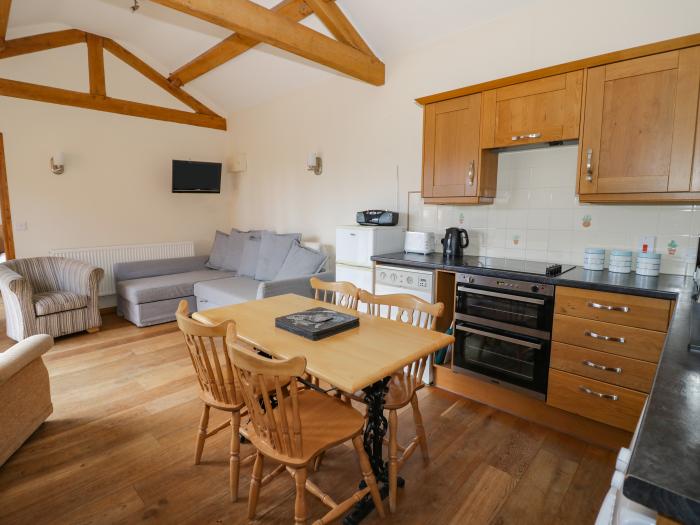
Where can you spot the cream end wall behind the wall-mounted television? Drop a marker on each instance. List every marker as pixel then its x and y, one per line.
pixel 116 187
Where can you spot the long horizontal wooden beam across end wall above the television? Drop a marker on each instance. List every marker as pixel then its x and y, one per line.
pixel 27 91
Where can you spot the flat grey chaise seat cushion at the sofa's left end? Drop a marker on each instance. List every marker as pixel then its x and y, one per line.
pixel 163 287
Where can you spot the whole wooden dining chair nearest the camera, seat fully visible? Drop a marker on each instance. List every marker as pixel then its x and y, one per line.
pixel 301 425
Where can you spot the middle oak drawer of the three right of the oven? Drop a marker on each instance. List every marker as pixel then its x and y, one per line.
pixel 626 341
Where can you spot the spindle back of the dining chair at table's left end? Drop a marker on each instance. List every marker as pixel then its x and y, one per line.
pixel 210 358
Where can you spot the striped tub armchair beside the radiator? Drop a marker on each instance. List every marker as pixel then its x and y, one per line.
pixel 49 295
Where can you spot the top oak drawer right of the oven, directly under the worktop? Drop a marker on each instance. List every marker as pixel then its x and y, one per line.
pixel 629 310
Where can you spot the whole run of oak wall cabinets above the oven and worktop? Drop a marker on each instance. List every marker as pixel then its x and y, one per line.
pixel 634 113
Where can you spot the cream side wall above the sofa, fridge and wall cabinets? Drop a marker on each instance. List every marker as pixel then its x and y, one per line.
pixel 365 132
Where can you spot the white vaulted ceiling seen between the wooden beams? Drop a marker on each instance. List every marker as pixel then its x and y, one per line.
pixel 168 39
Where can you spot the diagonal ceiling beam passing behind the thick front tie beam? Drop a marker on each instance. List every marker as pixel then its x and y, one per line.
pixel 234 45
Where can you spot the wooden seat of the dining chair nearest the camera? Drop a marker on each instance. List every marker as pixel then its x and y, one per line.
pixel 325 422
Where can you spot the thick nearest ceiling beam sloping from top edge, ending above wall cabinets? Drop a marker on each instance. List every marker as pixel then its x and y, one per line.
pixel 254 21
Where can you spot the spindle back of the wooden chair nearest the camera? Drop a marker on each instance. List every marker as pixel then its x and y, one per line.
pixel 278 425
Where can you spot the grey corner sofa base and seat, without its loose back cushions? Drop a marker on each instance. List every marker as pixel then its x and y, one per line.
pixel 148 292
